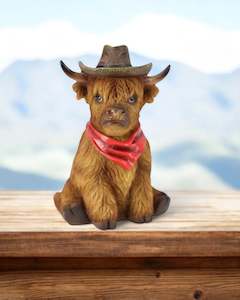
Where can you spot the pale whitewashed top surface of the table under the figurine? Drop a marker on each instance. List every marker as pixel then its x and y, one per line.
pixel 189 211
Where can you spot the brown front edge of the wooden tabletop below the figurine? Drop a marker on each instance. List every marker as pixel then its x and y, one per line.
pixel 120 244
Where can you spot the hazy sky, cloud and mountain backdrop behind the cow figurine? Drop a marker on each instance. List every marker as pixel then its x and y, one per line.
pixel 194 124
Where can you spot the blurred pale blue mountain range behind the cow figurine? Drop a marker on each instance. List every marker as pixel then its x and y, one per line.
pixel 193 126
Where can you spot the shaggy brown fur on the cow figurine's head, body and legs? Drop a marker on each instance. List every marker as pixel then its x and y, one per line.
pixel 98 190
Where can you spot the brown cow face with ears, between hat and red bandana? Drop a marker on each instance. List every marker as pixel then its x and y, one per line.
pixel 115 103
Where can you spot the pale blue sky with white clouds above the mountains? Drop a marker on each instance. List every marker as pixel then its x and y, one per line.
pixel 203 34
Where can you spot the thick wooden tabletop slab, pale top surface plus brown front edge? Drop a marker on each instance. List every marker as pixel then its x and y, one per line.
pixel 197 224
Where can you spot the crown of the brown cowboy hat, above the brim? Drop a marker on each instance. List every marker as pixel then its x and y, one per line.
pixel 114 57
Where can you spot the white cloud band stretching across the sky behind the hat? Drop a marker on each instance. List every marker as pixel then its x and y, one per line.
pixel 162 37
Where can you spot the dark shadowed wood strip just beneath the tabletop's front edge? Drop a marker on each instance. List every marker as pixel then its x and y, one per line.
pixel 76 263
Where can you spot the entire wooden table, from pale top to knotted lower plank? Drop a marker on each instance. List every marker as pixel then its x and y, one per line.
pixel 191 252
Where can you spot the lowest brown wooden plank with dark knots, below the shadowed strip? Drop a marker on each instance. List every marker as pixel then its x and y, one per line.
pixel 122 284
